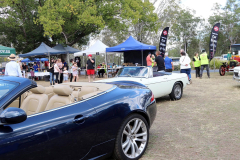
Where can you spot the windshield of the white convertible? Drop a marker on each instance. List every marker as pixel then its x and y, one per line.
pixel 133 72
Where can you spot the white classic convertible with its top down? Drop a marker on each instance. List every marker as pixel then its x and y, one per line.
pixel 161 83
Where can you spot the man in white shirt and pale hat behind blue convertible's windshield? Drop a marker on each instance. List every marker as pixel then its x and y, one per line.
pixel 12 68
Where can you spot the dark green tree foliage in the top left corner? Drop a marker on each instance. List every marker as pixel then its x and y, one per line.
pixel 17 27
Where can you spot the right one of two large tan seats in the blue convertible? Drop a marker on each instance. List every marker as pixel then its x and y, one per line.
pixel 63 97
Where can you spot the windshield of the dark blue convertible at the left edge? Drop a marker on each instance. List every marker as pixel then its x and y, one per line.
pixel 6 87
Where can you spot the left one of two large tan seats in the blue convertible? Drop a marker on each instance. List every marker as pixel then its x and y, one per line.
pixel 35 102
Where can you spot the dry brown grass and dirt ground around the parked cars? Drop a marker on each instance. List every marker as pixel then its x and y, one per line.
pixel 203 125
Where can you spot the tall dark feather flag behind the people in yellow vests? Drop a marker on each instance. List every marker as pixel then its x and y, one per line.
pixel 213 40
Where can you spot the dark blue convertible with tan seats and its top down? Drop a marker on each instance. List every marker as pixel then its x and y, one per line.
pixel 74 120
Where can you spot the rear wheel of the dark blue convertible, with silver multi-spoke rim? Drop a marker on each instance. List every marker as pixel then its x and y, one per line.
pixel 128 141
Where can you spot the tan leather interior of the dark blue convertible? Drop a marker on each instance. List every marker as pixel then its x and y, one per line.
pixel 41 98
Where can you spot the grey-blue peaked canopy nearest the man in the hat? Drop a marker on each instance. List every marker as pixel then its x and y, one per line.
pixel 42 50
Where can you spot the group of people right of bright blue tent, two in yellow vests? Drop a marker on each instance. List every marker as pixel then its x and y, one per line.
pixel 163 63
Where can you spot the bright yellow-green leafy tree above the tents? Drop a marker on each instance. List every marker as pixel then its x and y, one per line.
pixel 75 19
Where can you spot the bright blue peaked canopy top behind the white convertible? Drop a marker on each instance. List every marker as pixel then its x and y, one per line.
pixel 129 45
